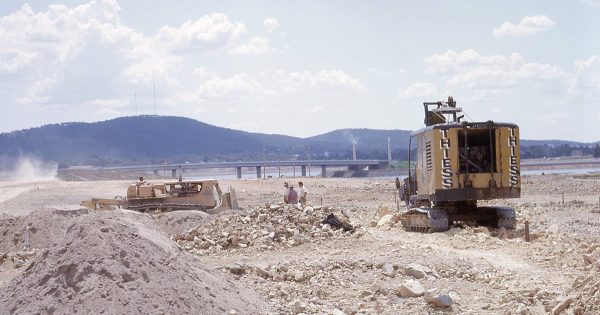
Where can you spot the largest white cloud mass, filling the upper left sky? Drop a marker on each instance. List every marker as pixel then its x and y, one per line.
pixel 75 55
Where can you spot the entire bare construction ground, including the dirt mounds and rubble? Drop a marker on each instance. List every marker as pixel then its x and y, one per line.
pixel 271 258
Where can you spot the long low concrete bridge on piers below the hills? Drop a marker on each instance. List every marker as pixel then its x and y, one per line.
pixel 259 165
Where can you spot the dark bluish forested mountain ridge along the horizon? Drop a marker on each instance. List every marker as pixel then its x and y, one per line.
pixel 163 139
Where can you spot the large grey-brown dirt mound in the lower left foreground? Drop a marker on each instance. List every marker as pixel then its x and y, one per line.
pixel 117 264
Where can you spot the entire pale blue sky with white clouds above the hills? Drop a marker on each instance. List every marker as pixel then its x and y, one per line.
pixel 302 68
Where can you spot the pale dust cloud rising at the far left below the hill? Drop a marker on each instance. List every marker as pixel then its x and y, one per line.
pixel 27 169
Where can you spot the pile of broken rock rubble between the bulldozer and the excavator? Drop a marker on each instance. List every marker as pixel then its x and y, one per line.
pixel 267 227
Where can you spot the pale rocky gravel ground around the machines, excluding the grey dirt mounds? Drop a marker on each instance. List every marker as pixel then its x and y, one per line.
pixel 298 265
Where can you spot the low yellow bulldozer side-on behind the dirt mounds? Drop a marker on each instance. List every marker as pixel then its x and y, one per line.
pixel 146 196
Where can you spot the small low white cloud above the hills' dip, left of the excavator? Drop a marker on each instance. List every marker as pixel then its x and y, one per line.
pixel 323 79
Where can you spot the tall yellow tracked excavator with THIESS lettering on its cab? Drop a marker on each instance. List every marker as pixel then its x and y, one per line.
pixel 456 164
